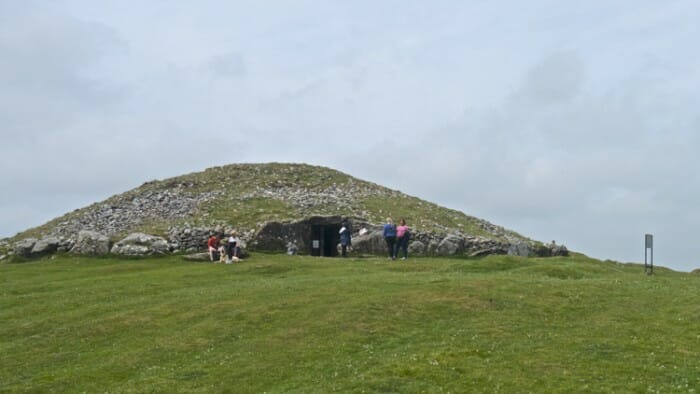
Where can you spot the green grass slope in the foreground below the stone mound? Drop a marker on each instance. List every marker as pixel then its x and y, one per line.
pixel 280 323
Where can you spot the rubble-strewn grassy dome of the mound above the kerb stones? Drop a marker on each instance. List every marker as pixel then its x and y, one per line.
pixel 248 195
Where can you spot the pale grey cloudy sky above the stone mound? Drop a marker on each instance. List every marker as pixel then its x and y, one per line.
pixel 559 120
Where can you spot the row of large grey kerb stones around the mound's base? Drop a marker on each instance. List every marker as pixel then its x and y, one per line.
pixel 367 239
